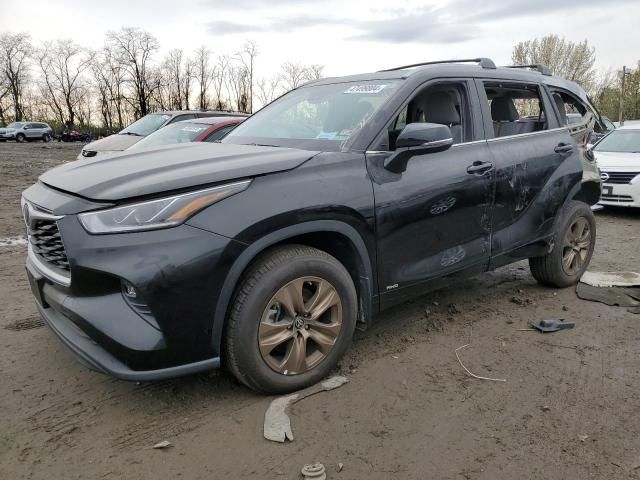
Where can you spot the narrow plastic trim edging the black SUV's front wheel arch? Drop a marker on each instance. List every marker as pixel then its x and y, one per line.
pixel 254 249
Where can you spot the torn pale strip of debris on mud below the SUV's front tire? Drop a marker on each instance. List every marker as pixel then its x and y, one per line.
pixel 277 424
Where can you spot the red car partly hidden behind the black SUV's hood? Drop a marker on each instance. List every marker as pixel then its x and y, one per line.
pixel 208 129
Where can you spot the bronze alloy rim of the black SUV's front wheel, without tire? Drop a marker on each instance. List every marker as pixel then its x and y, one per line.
pixel 300 325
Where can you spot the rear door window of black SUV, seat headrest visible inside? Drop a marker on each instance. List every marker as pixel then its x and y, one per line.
pixel 516 109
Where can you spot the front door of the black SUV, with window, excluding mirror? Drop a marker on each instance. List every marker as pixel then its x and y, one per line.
pixel 434 219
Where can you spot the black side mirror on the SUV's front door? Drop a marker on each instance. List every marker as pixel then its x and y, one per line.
pixel 418 139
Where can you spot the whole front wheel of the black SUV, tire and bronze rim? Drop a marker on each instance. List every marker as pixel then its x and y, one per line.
pixel 260 349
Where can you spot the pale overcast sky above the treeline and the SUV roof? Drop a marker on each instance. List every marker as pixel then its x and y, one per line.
pixel 345 36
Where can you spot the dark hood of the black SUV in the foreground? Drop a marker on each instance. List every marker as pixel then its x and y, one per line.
pixel 185 166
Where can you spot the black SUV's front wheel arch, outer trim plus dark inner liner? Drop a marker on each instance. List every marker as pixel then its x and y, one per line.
pixel 338 239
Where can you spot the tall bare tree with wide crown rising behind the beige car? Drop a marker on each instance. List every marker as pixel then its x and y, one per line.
pixel 134 50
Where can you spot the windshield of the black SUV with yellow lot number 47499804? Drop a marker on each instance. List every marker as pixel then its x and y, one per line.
pixel 320 117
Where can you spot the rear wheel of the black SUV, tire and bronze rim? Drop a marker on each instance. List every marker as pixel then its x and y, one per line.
pixel 570 257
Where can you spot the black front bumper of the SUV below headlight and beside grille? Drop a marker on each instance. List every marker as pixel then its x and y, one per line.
pixel 177 272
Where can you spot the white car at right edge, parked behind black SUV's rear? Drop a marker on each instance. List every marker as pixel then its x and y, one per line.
pixel 618 156
